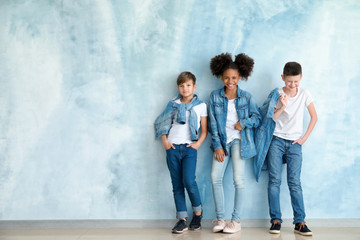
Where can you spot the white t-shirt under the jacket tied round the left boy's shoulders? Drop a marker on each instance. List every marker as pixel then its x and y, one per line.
pixel 180 133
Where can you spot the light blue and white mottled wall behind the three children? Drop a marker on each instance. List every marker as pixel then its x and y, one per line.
pixel 81 83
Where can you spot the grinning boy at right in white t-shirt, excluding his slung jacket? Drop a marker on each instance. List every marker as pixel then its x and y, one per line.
pixel 286 145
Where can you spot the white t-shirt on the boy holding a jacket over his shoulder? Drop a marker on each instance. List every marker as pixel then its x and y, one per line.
pixel 289 124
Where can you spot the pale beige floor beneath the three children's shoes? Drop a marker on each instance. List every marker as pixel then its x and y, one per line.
pixel 320 233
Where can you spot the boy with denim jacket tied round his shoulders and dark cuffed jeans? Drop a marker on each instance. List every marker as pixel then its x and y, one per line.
pixel 178 126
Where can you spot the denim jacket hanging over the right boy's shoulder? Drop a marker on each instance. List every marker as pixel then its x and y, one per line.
pixel 264 133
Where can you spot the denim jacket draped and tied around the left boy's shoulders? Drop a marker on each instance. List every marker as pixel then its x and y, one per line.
pixel 163 122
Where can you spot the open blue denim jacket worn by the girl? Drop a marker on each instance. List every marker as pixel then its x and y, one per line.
pixel 249 118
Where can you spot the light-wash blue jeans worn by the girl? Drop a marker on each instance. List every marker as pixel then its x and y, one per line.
pixel 217 175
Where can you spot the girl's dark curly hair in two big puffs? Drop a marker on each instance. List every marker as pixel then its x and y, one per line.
pixel 222 62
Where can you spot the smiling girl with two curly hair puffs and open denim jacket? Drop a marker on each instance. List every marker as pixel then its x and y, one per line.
pixel 233 116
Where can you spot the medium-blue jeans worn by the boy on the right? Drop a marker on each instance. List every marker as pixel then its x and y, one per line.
pixel 279 149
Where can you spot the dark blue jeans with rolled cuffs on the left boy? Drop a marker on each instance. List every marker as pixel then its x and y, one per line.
pixel 181 162
